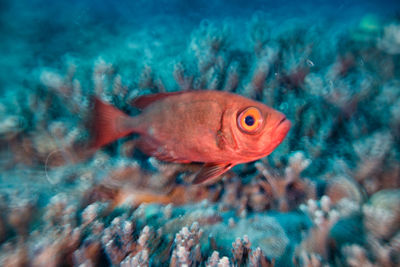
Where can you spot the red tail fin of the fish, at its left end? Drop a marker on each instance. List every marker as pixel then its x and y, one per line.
pixel 109 124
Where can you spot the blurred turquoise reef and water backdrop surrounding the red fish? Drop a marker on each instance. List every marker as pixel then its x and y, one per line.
pixel 329 194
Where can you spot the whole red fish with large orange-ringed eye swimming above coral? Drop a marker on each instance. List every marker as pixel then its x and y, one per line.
pixel 219 129
